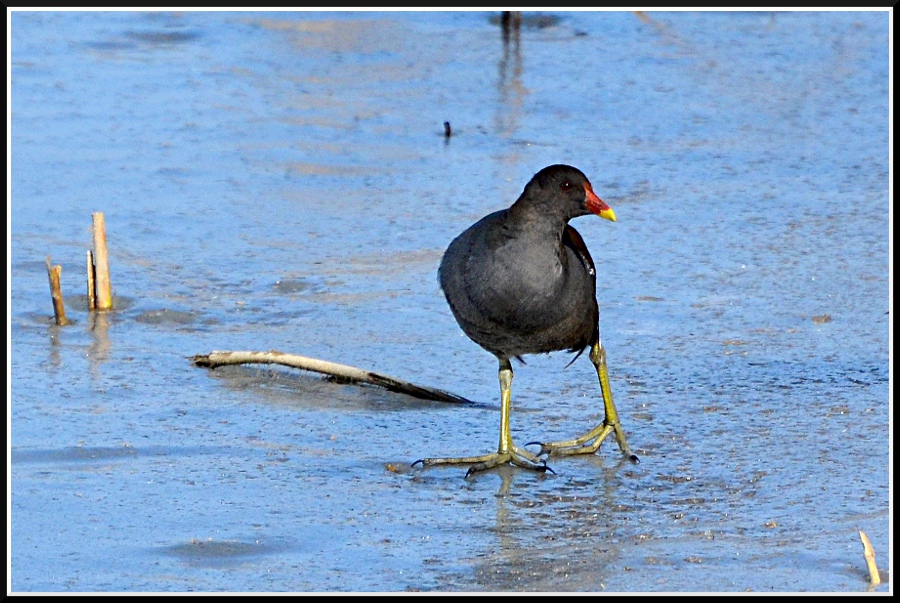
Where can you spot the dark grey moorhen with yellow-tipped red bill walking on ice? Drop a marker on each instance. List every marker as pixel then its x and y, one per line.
pixel 521 281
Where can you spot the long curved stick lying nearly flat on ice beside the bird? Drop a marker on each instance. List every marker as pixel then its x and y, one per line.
pixel 340 371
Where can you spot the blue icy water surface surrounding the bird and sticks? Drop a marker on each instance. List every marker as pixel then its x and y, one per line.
pixel 282 181
